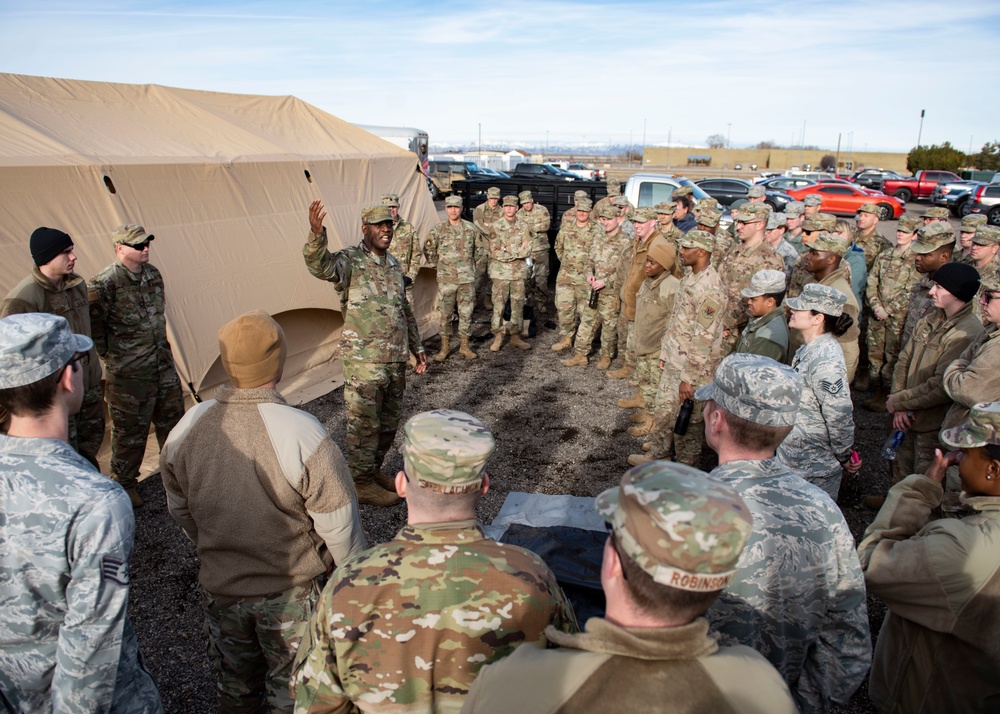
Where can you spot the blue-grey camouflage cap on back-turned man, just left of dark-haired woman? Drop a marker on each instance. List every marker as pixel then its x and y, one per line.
pixel 755 388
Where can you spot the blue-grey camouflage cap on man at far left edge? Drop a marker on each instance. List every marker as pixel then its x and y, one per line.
pixel 34 345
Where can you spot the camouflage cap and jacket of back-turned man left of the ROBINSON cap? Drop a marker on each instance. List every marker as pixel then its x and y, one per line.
pixel 405 626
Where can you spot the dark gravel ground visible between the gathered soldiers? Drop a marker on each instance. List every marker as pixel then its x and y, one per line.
pixel 557 432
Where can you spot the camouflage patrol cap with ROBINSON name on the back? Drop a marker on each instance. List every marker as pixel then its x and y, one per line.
pixel 680 525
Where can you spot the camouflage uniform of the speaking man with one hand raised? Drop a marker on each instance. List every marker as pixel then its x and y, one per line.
pixel 378 334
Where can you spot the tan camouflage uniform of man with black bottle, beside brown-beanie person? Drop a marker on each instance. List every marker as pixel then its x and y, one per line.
pixel 691 350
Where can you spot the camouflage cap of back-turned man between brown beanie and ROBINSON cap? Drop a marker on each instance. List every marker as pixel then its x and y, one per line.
pixel 446 450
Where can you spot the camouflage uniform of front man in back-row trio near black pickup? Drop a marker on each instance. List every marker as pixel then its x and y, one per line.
pixel 510 245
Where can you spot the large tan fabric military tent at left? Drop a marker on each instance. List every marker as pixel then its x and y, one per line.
pixel 224 182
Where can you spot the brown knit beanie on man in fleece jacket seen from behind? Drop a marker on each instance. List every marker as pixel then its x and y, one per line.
pixel 253 349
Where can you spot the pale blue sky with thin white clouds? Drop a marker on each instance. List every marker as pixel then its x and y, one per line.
pixel 576 71
